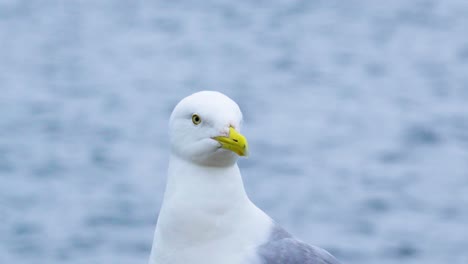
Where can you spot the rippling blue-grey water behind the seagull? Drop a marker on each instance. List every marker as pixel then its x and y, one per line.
pixel 356 113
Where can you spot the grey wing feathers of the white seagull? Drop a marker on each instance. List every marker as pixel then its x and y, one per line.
pixel 282 248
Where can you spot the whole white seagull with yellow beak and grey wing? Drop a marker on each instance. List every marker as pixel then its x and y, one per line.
pixel 206 216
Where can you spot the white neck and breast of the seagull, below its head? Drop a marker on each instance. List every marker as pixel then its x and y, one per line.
pixel 202 208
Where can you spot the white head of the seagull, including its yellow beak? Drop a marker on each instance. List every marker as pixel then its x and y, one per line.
pixel 205 128
